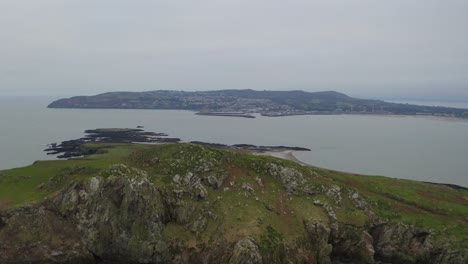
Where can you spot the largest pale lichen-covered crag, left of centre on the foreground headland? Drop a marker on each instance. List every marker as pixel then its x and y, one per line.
pixel 119 217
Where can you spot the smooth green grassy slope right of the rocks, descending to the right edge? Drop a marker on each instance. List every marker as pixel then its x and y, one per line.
pixel 439 208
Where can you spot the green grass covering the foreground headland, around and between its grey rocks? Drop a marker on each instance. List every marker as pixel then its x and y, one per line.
pixel 439 208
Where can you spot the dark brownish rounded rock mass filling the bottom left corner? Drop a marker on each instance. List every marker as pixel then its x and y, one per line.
pixel 34 234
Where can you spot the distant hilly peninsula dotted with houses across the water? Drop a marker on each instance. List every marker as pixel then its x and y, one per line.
pixel 270 103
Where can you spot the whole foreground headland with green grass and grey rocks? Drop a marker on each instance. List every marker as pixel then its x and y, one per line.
pixel 186 203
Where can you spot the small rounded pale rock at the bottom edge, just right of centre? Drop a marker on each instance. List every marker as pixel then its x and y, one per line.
pixel 245 252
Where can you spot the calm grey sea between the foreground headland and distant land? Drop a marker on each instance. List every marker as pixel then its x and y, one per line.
pixel 418 148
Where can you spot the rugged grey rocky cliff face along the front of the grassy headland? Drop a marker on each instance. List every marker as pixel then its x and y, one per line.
pixel 121 216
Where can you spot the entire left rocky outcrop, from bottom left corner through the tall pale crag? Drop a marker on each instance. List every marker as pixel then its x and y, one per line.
pixel 118 217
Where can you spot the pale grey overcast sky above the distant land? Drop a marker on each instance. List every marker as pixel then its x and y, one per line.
pixel 367 48
